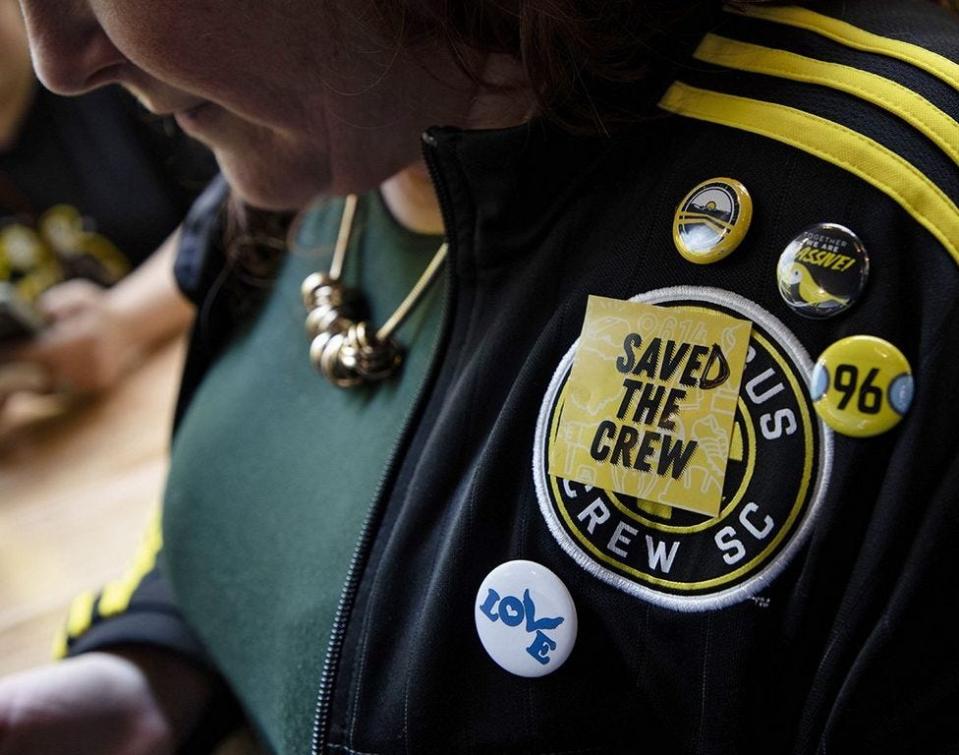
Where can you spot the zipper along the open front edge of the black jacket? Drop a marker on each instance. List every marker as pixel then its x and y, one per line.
pixel 361 551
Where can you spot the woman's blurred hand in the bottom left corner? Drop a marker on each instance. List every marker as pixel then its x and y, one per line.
pixel 142 701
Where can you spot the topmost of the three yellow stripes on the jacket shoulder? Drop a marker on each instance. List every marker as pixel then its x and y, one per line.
pixel 858 39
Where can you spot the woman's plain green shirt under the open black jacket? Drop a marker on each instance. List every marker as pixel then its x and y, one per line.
pixel 274 470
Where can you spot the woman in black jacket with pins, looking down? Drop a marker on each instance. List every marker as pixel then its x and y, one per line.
pixel 798 611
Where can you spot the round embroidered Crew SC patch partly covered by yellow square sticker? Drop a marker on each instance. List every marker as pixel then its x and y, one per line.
pixel 776 476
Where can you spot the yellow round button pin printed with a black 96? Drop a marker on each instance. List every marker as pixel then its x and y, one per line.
pixel 862 386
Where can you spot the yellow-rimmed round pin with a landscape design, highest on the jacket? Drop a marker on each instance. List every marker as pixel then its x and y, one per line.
pixel 712 220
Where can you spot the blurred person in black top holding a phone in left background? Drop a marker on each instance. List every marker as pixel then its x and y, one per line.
pixel 91 192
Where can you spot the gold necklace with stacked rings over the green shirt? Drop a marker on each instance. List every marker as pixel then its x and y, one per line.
pixel 343 345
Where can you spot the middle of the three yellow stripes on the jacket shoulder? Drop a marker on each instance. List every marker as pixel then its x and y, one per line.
pixel 914 109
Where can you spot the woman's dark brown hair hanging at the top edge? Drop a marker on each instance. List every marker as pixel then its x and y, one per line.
pixel 590 65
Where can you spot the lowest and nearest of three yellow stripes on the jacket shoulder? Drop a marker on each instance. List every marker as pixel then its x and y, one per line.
pixel 841 146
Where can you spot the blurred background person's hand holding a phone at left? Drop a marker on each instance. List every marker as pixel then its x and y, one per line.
pixel 86 348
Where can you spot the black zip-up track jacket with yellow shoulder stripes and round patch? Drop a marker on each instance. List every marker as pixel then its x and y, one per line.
pixel 844 644
